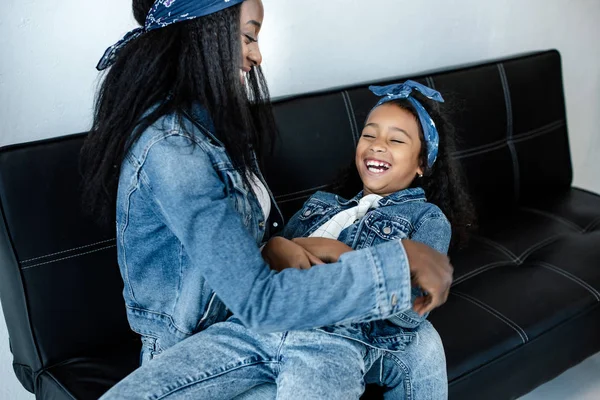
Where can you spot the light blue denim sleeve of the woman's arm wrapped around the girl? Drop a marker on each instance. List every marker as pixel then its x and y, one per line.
pixel 187 193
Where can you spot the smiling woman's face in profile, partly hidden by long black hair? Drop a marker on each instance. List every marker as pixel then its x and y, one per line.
pixel 251 19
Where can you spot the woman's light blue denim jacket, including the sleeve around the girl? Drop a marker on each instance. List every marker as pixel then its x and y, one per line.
pixel 188 236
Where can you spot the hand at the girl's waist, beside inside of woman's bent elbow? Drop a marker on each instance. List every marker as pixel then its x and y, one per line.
pixel 281 253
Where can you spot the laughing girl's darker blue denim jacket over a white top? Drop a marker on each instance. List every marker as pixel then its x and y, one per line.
pixel 401 215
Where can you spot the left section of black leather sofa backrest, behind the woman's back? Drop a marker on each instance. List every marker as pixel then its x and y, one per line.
pixel 59 283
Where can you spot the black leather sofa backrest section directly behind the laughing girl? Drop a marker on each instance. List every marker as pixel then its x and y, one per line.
pixel 510 120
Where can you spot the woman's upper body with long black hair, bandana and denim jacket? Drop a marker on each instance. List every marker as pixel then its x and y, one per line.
pixel 173 142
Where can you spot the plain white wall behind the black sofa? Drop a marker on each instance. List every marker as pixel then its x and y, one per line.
pixel 49 50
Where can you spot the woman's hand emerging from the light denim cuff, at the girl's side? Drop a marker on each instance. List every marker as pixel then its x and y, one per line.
pixel 430 270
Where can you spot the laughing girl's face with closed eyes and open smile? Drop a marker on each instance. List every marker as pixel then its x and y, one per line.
pixel 387 155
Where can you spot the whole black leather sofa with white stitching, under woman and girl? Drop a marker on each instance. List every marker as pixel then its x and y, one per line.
pixel 525 301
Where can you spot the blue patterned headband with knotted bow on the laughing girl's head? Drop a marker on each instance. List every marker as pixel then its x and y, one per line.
pixel 403 91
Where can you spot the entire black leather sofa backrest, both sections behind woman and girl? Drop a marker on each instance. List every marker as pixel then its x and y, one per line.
pixel 59 281
